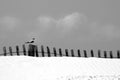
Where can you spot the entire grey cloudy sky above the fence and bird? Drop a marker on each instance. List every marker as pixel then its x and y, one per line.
pixel 83 24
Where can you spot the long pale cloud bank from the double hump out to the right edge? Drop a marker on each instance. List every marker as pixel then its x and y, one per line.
pixel 76 25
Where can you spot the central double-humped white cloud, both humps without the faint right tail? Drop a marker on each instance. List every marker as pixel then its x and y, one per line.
pixel 62 26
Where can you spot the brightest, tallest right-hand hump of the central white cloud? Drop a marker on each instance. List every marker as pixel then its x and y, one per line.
pixel 72 21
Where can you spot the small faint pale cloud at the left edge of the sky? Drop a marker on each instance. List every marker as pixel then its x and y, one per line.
pixel 8 23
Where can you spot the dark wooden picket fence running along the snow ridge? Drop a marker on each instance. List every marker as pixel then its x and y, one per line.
pixel 32 50
